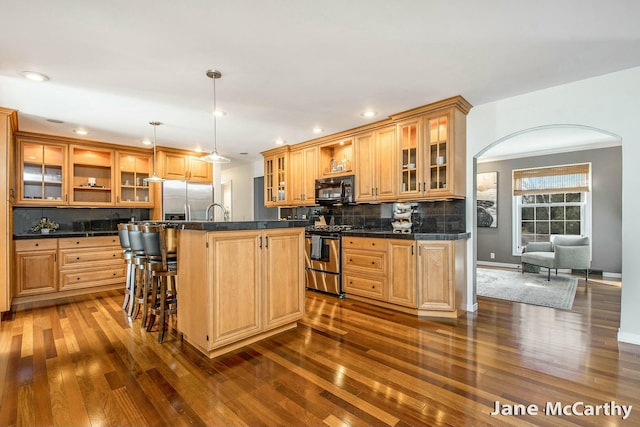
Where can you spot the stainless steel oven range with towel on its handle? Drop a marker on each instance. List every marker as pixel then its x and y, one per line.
pixel 323 259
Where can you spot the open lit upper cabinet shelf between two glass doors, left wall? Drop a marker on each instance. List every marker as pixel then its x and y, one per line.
pixel 92 176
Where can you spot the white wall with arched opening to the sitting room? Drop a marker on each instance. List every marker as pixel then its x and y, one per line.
pixel 611 103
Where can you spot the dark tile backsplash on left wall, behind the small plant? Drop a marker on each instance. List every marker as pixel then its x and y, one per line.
pixel 75 219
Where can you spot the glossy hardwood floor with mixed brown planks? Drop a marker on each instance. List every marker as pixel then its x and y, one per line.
pixel 81 362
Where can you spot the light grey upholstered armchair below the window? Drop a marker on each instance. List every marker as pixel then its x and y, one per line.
pixel 562 252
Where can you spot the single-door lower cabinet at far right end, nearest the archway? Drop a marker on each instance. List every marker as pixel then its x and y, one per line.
pixel 441 274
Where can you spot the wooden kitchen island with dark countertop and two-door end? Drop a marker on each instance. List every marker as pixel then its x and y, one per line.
pixel 238 282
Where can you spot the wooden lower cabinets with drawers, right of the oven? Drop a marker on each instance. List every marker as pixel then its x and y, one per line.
pixel 415 276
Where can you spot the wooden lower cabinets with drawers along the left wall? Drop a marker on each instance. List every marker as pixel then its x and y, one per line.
pixel 49 265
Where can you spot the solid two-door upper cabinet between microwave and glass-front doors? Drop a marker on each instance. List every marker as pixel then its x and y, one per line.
pixel 375 165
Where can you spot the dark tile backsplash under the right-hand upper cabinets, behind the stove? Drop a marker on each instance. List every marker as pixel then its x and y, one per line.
pixel 428 217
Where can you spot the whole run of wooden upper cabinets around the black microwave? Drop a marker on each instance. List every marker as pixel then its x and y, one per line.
pixel 419 154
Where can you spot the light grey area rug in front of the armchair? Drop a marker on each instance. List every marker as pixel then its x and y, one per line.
pixel 529 288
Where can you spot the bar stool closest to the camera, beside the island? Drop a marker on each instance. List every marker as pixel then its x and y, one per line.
pixel 160 247
